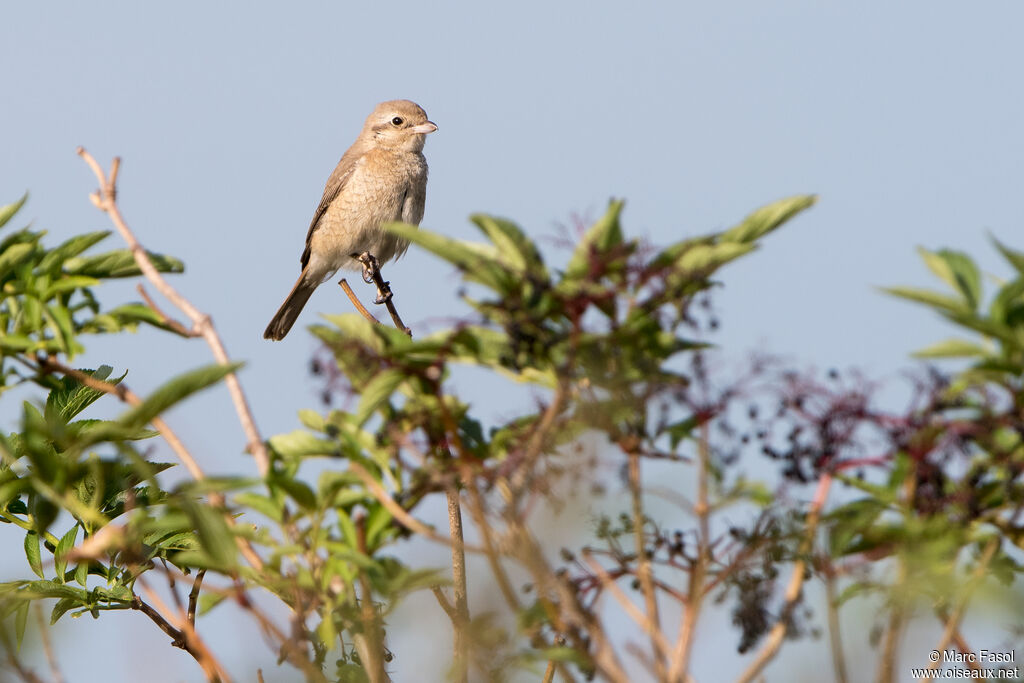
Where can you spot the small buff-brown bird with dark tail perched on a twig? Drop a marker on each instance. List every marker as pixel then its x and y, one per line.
pixel 381 179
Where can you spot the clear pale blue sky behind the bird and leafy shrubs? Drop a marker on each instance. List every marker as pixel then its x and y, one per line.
pixel 906 119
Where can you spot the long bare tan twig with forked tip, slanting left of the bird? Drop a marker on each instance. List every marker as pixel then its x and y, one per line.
pixel 106 201
